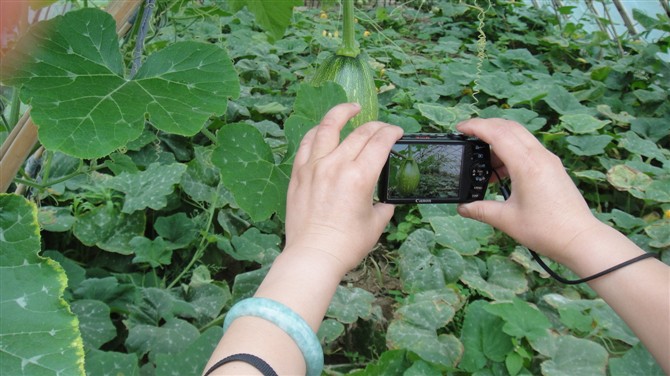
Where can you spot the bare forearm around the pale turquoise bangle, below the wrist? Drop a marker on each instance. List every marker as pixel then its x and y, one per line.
pixel 304 283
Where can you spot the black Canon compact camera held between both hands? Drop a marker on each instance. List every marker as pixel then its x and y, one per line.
pixel 427 168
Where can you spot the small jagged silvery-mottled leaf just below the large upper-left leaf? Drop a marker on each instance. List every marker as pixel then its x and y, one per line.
pixel 149 188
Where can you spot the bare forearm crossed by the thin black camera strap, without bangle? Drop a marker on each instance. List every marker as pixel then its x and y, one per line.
pixel 639 293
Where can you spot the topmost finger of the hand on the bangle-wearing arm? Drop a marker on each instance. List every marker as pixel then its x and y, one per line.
pixel 328 131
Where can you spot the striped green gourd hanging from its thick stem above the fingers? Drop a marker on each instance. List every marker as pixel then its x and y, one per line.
pixel 349 69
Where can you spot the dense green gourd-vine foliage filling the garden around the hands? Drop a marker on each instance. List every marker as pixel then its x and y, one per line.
pixel 161 223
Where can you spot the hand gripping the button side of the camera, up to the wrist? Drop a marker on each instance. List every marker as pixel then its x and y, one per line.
pixel 545 211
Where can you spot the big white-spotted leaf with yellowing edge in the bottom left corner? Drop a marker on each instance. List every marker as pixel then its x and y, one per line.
pixel 38 333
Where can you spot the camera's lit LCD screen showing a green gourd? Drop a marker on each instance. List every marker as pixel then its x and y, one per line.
pixel 426 171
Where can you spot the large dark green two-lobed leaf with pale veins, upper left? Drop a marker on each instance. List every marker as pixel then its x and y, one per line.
pixel 72 74
